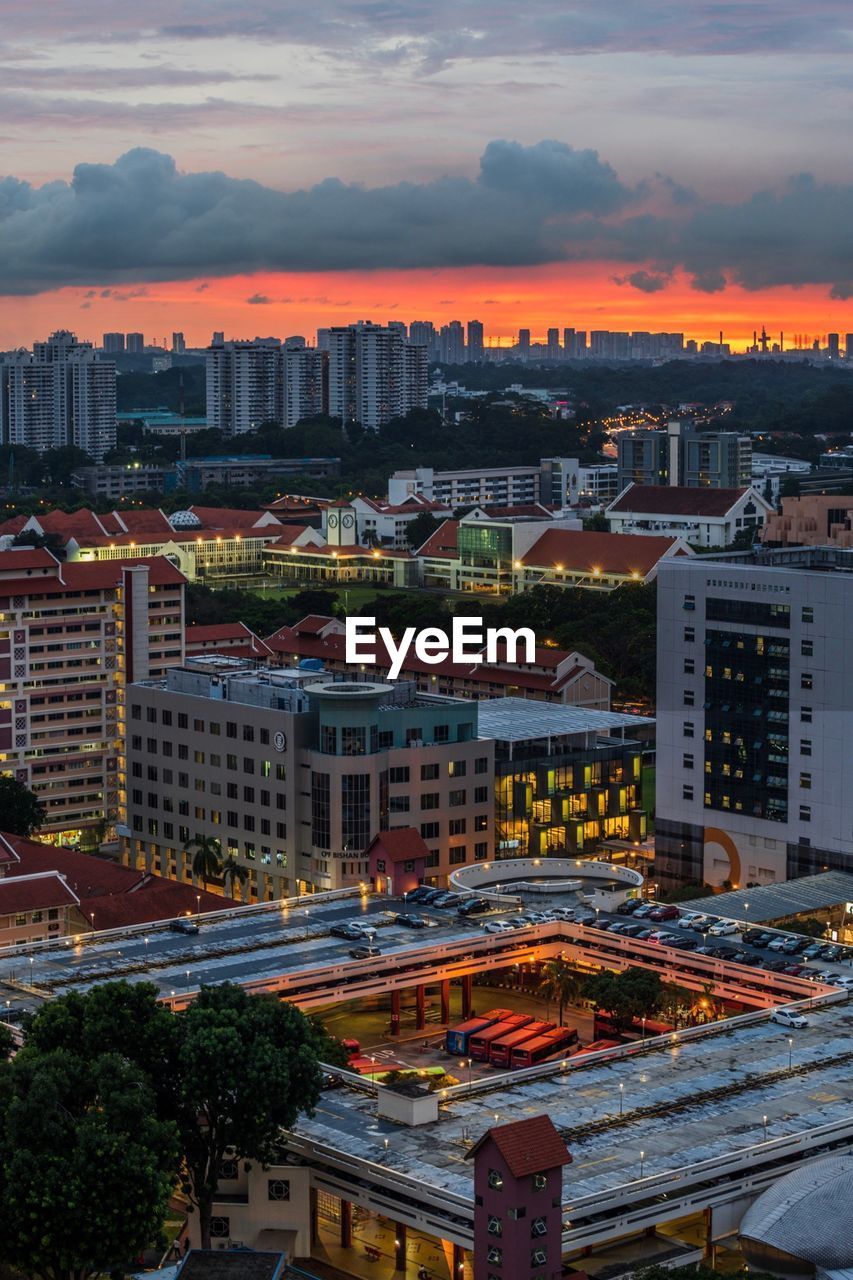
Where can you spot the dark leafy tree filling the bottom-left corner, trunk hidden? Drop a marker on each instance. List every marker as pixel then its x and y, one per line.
pixel 86 1165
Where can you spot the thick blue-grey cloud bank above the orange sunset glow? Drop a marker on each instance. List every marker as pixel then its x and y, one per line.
pixel 140 220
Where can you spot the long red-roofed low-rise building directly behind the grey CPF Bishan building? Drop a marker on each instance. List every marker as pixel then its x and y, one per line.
pixel 554 676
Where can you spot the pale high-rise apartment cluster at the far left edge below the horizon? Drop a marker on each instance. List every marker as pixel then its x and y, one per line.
pixel 62 394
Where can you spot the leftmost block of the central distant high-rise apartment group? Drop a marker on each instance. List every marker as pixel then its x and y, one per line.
pixel 245 386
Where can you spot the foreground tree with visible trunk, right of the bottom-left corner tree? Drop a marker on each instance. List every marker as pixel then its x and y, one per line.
pixel 248 1068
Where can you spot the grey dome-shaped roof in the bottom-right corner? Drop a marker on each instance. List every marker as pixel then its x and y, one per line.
pixel 795 1215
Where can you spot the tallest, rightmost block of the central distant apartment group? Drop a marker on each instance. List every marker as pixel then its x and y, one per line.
pixel 375 374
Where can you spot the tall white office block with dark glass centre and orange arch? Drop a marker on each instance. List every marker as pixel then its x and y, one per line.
pixel 755 772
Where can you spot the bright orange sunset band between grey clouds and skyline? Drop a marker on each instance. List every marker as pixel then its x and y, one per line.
pixel 586 298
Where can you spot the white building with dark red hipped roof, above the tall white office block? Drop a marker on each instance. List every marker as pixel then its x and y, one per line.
pixel 703 518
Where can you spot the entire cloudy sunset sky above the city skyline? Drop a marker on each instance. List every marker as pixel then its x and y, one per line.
pixel 272 167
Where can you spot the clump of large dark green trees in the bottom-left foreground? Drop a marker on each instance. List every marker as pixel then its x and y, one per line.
pixel 115 1104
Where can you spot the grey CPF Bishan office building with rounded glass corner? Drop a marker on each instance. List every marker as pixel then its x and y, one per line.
pixel 294 774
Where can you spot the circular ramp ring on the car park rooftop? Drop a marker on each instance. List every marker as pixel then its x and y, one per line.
pixel 531 879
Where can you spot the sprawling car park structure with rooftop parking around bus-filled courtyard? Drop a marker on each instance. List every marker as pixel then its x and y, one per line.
pixel 672 1139
